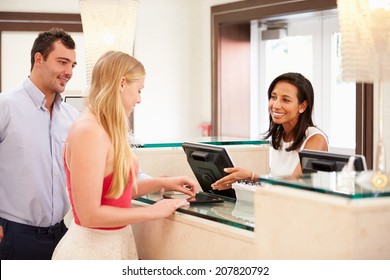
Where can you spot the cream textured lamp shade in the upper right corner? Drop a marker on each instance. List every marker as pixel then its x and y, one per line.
pixel 365 40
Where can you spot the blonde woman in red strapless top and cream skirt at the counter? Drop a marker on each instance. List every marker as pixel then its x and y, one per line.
pixel 102 170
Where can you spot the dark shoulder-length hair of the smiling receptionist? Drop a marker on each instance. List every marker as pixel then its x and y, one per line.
pixel 305 92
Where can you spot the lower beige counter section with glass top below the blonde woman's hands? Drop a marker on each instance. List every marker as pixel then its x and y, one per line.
pixel 205 232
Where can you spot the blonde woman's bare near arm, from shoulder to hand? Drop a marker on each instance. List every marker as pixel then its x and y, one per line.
pixel 89 162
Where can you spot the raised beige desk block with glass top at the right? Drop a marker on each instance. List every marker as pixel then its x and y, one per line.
pixel 322 216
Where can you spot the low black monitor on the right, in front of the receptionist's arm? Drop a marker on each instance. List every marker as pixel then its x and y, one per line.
pixel 313 160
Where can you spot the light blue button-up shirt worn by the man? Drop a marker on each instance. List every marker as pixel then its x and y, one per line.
pixel 32 178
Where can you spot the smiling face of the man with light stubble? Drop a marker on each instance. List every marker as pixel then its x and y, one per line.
pixel 57 69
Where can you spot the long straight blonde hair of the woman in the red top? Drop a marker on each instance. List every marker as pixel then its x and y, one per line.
pixel 106 104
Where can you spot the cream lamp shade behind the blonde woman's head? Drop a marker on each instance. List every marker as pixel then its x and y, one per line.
pixel 107 25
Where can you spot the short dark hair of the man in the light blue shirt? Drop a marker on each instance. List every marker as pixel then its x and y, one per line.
pixel 44 43
